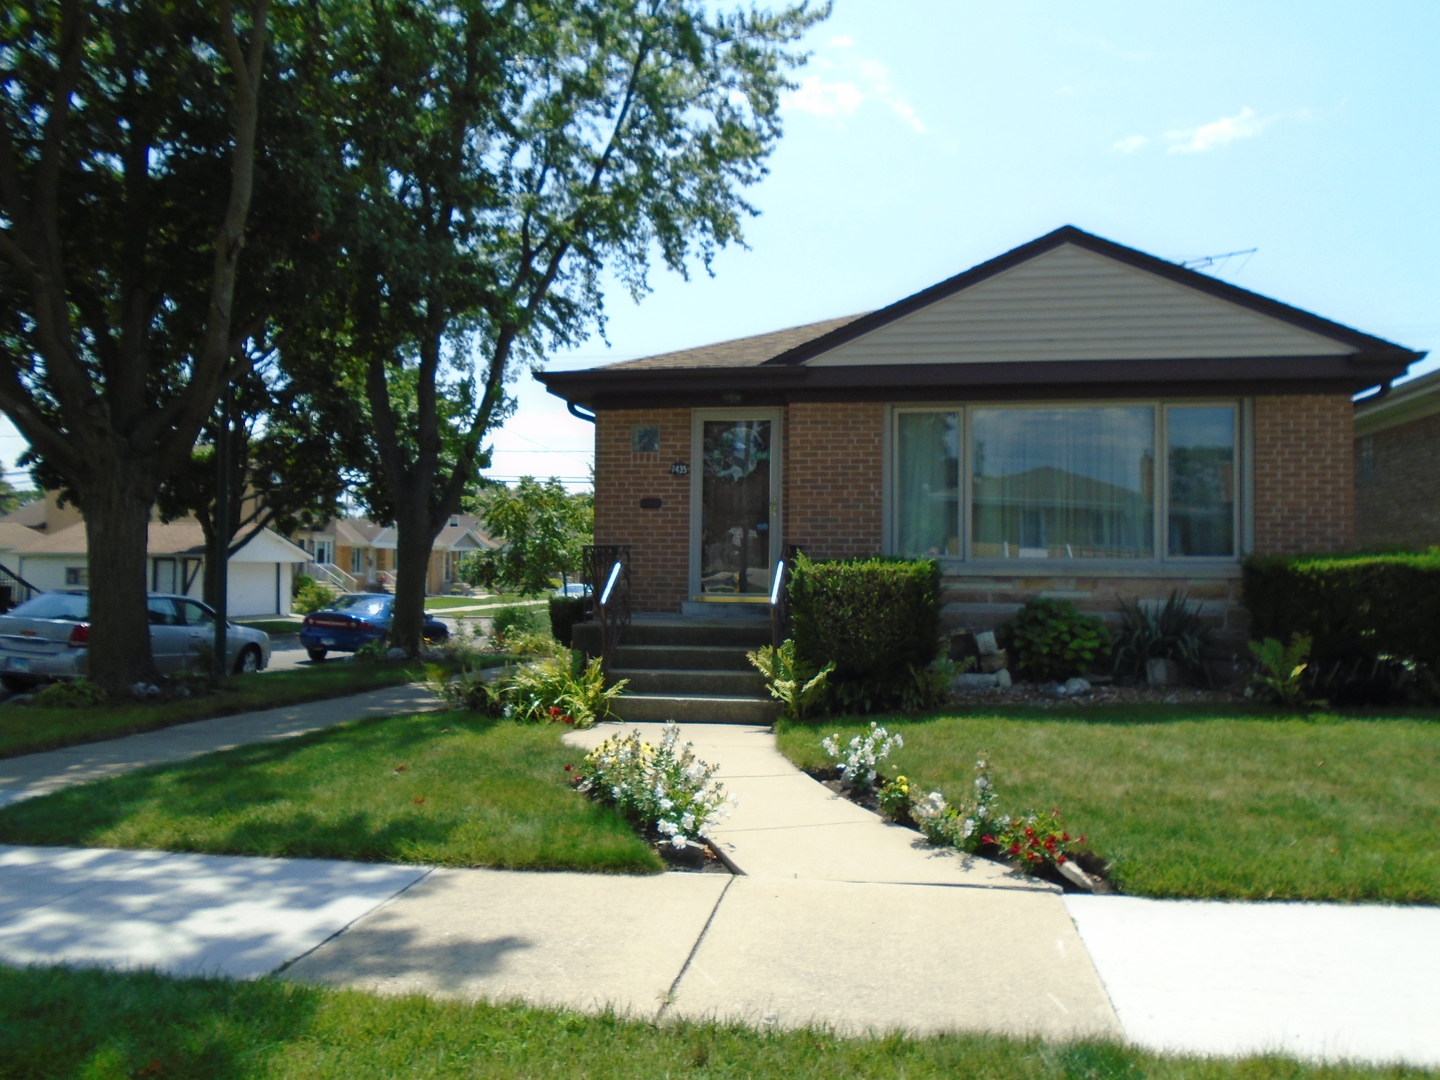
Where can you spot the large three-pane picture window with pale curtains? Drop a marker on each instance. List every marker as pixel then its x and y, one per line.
pixel 1115 482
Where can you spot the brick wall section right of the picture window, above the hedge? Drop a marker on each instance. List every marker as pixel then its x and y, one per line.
pixel 1305 474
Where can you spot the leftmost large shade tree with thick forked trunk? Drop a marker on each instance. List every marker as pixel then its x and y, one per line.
pixel 127 166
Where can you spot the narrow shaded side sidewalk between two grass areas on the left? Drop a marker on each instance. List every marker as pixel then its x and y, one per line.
pixel 40 774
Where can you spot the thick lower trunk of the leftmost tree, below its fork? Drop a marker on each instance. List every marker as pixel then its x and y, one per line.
pixel 117 526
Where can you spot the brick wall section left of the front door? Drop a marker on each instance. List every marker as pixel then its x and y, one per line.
pixel 659 539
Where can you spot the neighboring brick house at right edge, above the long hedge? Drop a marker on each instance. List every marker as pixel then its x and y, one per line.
pixel 1398 466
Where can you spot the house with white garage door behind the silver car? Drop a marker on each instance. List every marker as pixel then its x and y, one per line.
pixel 260 574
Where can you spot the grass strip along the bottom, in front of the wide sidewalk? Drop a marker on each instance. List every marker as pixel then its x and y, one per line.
pixel 58 1025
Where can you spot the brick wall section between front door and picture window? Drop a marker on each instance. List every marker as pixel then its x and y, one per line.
pixel 834 473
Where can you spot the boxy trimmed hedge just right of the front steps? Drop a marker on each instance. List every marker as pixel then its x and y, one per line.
pixel 873 617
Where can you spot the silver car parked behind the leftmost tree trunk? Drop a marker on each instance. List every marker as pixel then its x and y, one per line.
pixel 48 639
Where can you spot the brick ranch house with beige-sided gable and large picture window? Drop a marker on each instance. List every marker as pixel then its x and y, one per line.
pixel 1074 420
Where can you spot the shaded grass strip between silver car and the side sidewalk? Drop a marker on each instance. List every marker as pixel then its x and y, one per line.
pixel 27 729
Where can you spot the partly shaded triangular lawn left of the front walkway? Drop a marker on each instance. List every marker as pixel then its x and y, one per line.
pixel 438 788
